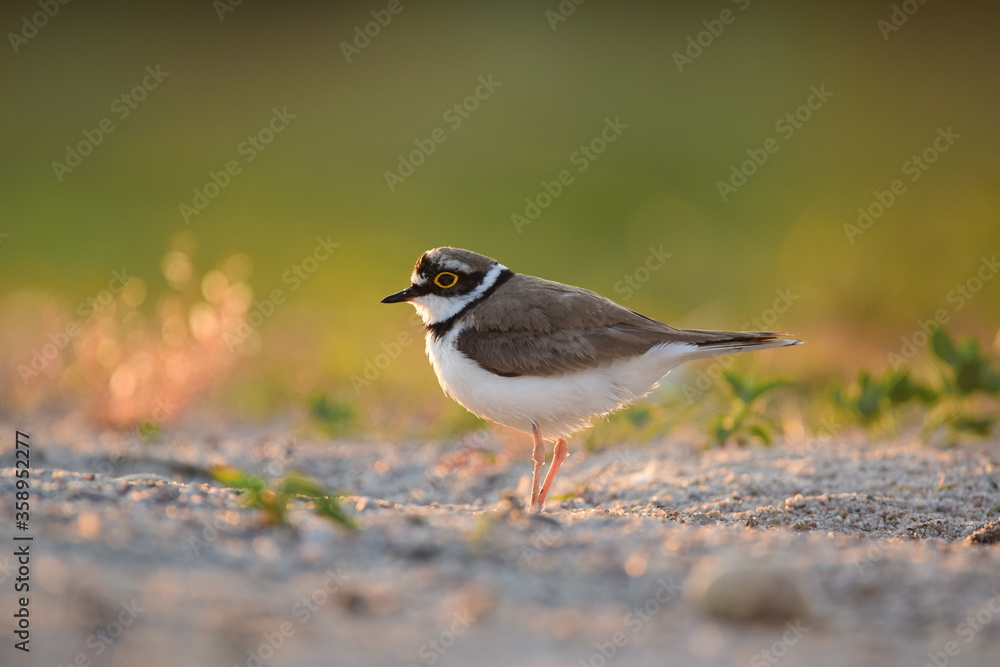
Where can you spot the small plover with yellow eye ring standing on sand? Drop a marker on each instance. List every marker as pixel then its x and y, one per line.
pixel 543 357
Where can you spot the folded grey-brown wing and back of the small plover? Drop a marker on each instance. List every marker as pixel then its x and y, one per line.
pixel 531 326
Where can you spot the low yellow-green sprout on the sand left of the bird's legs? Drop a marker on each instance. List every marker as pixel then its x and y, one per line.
pixel 274 500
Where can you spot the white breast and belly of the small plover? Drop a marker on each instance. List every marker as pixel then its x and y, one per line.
pixel 560 405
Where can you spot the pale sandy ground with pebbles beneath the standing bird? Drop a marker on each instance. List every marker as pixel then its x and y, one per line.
pixel 833 553
